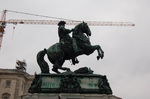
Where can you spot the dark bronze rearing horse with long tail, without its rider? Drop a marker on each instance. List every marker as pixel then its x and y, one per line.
pixel 58 53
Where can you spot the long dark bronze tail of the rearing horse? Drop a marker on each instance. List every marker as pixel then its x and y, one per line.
pixel 41 62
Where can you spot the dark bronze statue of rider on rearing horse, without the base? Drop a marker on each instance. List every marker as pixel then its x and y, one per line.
pixel 68 47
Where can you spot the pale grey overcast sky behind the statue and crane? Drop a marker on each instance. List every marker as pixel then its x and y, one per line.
pixel 127 57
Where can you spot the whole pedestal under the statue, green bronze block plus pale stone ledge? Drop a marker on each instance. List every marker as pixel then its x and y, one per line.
pixel 70 85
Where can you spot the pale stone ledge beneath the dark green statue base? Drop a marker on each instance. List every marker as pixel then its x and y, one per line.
pixel 69 96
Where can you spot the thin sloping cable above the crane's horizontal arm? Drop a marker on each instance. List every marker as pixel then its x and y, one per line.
pixel 41 15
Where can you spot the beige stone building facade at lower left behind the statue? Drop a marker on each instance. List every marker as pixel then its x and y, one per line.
pixel 14 83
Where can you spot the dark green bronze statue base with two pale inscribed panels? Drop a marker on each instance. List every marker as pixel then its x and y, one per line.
pixel 70 82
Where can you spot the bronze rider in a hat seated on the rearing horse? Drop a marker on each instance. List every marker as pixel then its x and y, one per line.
pixel 64 37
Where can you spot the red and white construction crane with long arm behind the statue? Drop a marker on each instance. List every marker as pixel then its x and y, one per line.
pixel 3 22
